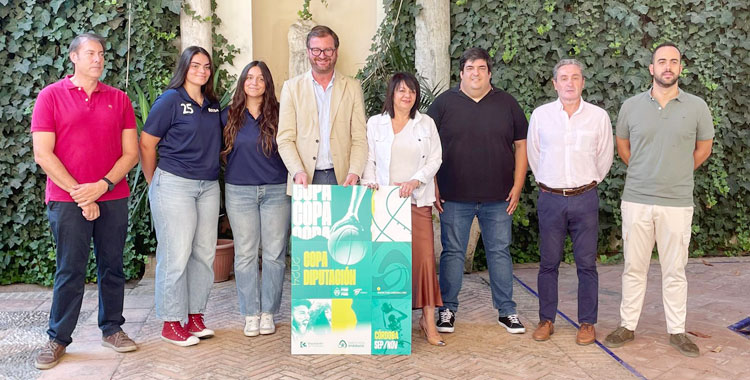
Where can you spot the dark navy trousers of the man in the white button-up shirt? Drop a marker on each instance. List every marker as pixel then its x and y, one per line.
pixel 578 216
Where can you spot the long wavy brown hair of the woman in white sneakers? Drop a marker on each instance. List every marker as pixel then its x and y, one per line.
pixel 269 113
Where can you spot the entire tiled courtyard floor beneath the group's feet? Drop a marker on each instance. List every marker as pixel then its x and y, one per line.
pixel 479 349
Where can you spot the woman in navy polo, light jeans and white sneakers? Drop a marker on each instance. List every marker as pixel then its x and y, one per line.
pixel 257 205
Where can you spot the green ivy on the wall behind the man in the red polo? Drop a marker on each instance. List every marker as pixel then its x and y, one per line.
pixel 34 53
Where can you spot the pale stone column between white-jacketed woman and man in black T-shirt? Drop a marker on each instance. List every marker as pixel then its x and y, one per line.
pixel 433 34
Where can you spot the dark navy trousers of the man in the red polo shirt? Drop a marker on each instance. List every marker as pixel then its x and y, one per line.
pixel 73 234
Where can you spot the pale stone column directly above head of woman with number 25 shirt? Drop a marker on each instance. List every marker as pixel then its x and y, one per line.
pixel 194 28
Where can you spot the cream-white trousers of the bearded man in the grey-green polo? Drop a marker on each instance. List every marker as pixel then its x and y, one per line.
pixel 670 228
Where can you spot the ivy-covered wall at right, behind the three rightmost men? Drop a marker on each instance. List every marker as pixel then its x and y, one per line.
pixel 614 40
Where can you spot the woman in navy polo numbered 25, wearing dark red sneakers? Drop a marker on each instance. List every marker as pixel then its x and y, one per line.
pixel 185 126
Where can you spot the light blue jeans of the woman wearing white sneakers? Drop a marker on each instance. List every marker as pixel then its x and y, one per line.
pixel 260 217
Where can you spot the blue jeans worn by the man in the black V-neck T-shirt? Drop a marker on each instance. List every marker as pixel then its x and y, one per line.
pixel 496 225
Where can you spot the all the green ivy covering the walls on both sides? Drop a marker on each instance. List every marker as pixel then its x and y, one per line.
pixel 613 39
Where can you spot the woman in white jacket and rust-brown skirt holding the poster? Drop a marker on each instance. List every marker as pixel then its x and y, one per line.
pixel 404 150
